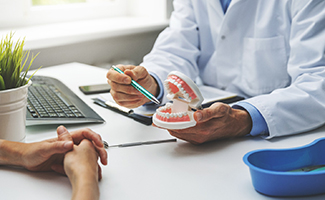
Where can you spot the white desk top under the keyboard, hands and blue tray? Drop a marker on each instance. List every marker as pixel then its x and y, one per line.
pixel 161 171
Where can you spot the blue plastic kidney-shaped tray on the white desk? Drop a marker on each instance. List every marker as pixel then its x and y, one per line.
pixel 271 170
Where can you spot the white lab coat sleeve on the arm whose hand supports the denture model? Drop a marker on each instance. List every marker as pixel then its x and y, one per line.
pixel 301 106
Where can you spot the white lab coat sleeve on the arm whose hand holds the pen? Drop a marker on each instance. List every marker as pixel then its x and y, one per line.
pixel 176 48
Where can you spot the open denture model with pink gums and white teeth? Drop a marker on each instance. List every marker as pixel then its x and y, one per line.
pixel 185 95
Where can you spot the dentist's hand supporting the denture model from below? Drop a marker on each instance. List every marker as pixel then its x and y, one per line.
pixel 219 121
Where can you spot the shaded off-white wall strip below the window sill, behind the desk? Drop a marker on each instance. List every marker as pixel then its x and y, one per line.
pixel 110 50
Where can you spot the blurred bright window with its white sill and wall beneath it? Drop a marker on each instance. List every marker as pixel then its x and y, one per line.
pixel 95 32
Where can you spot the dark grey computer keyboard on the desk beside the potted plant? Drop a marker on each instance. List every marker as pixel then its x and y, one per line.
pixel 51 102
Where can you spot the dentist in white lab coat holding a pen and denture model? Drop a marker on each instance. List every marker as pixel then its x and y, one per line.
pixel 271 52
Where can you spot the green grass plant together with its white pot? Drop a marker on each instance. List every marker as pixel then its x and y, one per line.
pixel 13 88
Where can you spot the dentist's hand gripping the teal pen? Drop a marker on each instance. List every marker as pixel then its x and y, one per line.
pixel 121 90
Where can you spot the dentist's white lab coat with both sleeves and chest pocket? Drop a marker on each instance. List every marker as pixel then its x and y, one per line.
pixel 270 51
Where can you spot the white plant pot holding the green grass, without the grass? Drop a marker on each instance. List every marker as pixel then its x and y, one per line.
pixel 13 113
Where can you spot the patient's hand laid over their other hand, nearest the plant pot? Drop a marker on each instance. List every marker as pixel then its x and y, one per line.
pixel 48 155
